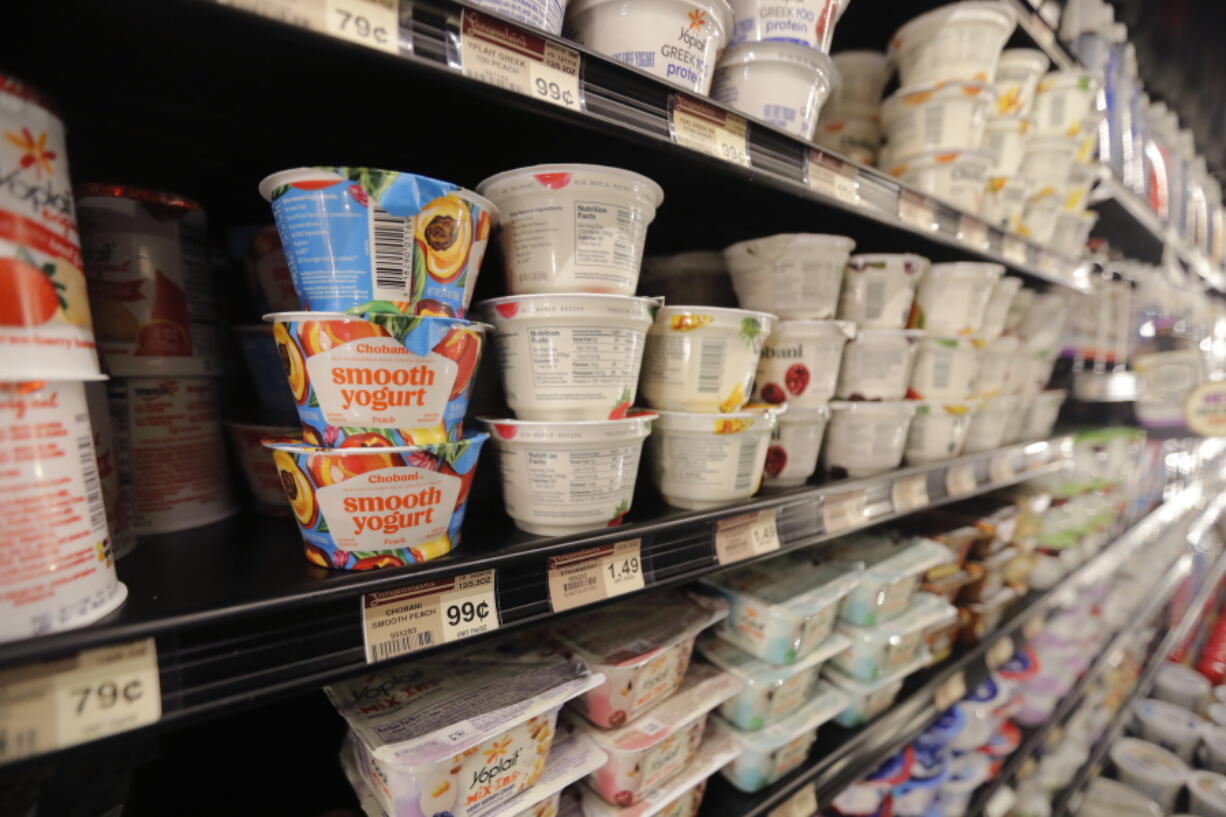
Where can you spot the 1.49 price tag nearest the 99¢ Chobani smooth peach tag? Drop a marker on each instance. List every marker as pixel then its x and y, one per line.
pixel 594 575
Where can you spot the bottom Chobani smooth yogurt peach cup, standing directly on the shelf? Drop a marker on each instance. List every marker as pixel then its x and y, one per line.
pixel 359 510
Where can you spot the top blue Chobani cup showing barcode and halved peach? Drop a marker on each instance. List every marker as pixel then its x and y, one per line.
pixel 360 240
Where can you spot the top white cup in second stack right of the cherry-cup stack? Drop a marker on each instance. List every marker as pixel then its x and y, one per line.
pixel 952 299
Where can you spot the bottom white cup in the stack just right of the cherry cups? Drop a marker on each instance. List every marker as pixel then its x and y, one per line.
pixel 867 439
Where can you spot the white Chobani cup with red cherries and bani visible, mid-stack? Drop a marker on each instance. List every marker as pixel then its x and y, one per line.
pixel 800 364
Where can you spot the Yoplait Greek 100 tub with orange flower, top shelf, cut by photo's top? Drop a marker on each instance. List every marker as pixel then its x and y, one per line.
pixel 644 34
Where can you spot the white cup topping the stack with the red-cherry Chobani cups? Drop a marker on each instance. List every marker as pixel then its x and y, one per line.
pixel 791 275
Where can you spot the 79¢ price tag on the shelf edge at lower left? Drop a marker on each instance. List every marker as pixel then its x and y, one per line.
pixel 96 694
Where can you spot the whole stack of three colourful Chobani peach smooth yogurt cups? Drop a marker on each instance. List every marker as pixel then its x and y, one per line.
pixel 379 361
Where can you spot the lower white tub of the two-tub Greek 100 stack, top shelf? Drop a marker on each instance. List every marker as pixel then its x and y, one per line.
pixel 783 84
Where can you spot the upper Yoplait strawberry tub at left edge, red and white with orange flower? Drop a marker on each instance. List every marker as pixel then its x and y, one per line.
pixel 45 321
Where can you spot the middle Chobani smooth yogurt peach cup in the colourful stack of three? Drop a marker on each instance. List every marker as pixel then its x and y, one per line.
pixel 378 380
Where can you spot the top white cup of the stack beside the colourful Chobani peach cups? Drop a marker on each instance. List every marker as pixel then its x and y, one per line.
pixel 573 228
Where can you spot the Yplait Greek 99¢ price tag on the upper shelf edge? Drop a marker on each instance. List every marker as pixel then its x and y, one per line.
pixel 511 58
